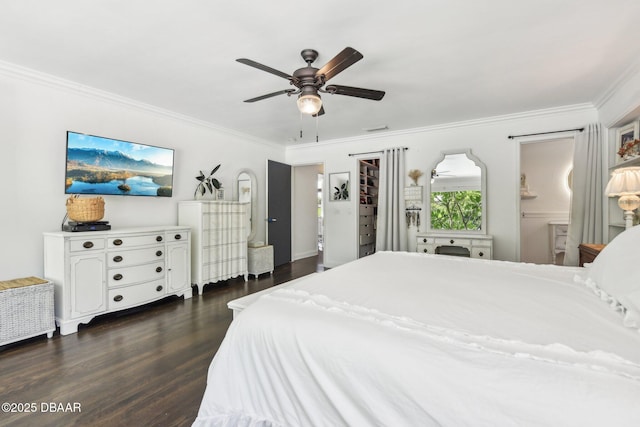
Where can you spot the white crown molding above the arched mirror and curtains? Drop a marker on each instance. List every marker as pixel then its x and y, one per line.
pixel 453 125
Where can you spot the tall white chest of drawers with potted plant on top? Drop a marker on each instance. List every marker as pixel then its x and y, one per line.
pixel 218 241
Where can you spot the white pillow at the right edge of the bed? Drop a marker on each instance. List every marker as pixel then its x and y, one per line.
pixel 616 270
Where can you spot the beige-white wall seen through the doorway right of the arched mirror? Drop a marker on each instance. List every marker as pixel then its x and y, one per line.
pixel 546 166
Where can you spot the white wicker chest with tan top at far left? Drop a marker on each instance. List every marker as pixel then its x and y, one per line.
pixel 26 309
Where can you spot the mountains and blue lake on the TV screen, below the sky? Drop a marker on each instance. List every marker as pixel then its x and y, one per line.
pixel 98 171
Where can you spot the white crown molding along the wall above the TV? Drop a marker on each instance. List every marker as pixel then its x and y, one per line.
pixel 32 76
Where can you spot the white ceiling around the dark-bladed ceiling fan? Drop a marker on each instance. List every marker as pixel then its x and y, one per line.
pixel 439 61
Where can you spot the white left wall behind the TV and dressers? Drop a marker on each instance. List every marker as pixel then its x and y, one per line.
pixel 35 113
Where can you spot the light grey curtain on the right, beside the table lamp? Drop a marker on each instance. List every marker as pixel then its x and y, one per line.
pixel 586 217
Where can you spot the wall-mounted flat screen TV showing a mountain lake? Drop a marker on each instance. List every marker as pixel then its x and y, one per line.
pixel 98 165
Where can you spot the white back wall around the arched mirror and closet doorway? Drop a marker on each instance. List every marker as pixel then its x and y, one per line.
pixel 488 140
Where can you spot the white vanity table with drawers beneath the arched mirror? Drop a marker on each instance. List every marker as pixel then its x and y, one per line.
pixel 469 245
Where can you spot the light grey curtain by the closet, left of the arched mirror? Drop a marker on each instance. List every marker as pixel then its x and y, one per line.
pixel 391 234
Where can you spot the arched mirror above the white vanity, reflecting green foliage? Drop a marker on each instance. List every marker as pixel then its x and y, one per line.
pixel 457 194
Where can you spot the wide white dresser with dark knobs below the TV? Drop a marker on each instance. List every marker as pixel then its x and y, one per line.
pixel 100 272
